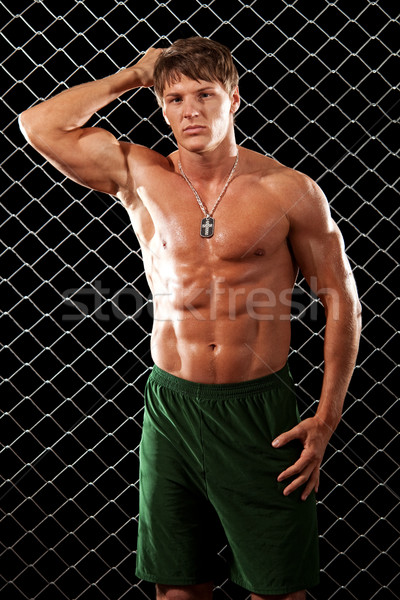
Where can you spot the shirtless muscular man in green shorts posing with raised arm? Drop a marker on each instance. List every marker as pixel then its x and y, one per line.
pixel 224 232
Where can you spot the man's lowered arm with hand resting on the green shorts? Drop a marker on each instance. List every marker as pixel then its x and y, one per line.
pixel 318 249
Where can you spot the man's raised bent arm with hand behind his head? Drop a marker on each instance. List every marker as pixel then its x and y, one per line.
pixel 90 156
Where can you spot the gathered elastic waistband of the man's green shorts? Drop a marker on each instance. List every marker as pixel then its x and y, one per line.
pixel 209 390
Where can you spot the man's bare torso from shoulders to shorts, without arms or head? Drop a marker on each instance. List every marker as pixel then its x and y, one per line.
pixel 221 304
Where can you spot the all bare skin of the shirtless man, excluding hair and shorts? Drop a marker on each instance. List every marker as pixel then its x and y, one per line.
pixel 222 304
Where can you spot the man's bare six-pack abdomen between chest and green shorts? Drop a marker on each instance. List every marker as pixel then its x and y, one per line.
pixel 222 333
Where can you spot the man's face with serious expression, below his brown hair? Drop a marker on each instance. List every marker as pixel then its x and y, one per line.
pixel 200 113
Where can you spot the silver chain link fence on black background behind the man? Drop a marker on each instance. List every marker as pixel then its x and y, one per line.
pixel 319 93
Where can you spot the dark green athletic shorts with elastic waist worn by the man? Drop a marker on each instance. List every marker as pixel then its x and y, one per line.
pixel 207 467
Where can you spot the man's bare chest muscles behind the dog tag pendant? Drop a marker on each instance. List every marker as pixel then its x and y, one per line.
pixel 245 222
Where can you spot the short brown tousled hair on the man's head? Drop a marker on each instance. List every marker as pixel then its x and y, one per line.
pixel 197 58
